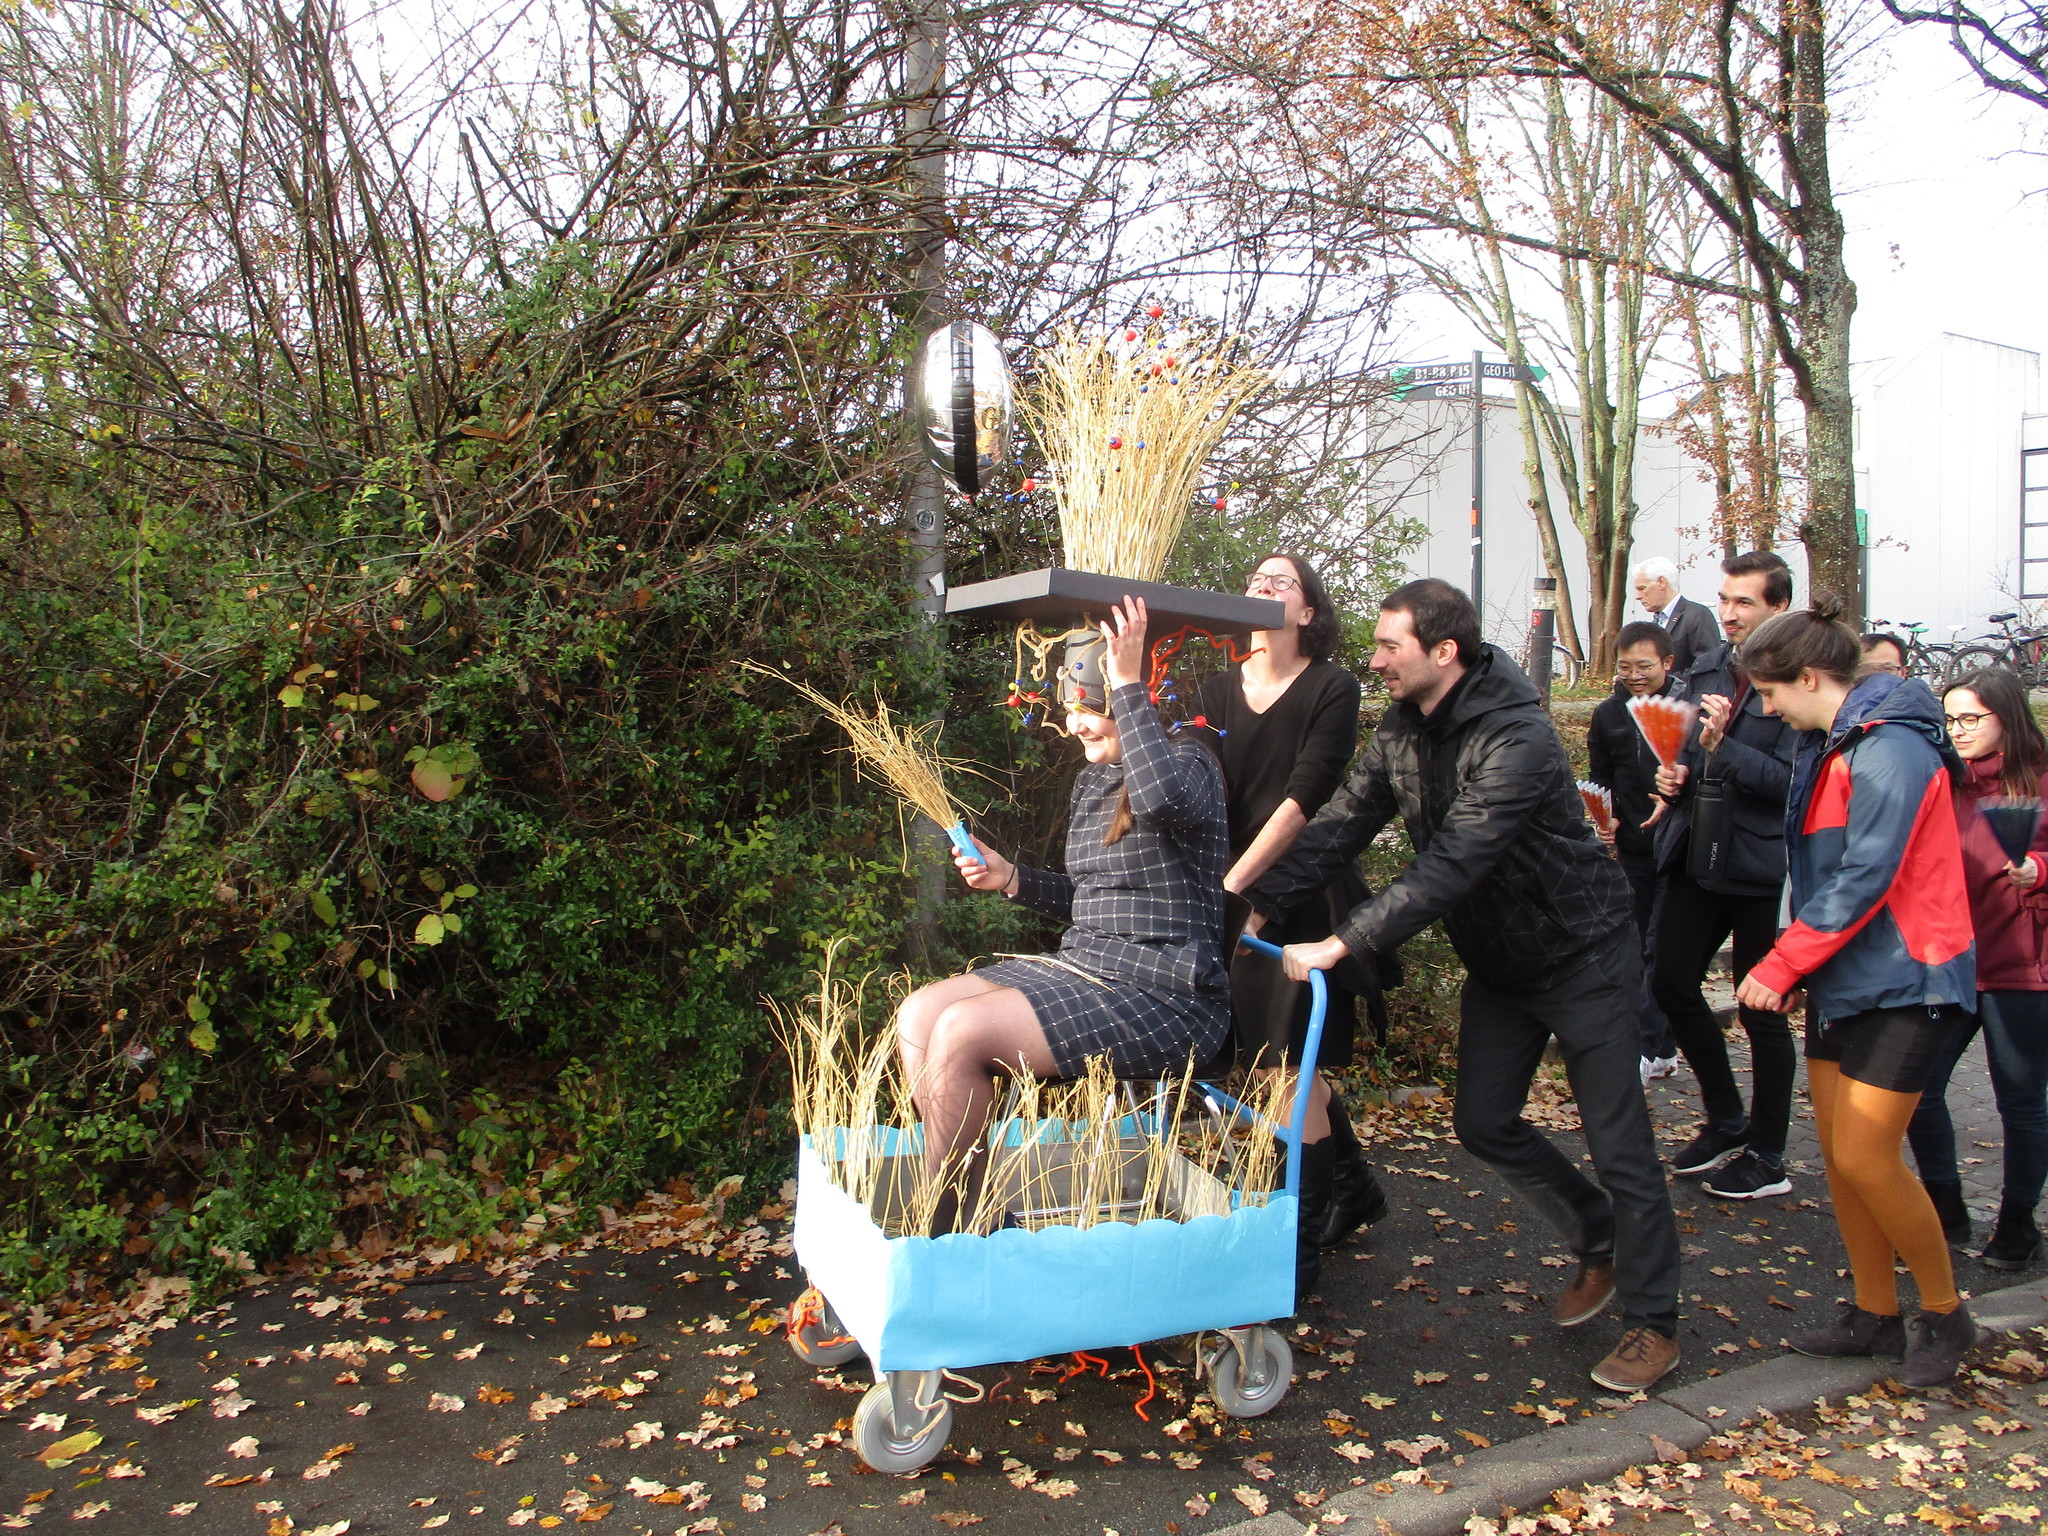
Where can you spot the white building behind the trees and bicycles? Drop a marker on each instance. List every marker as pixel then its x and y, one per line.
pixel 1953 466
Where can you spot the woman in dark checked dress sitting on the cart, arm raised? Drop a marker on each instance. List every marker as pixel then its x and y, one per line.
pixel 1140 974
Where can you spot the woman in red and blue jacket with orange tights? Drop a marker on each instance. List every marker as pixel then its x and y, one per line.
pixel 1881 943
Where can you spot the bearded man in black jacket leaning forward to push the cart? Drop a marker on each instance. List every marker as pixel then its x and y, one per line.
pixel 1541 916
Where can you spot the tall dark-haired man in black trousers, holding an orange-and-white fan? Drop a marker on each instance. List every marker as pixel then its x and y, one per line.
pixel 1721 853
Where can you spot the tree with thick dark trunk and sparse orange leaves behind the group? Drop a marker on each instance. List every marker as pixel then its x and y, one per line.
pixel 1736 101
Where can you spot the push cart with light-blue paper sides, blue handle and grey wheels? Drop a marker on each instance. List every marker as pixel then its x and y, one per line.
pixel 923 1308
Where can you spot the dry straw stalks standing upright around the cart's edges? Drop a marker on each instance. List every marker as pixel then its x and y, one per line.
pixel 1066 1154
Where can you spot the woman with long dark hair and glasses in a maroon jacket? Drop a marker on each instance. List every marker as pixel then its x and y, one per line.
pixel 2004 757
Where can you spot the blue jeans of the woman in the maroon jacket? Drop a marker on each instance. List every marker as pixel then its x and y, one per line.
pixel 2016 1043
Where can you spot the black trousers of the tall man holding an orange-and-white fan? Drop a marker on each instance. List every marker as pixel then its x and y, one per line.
pixel 1691 929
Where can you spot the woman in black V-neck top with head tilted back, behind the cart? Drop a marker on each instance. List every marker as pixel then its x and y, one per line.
pixel 1285 730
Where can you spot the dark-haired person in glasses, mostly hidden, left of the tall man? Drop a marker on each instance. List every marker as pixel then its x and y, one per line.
pixel 1623 763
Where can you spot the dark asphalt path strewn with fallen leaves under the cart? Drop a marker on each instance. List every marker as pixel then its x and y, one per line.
pixel 642 1381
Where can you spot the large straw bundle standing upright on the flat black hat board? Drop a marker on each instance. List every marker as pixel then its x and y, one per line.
pixel 1129 421
